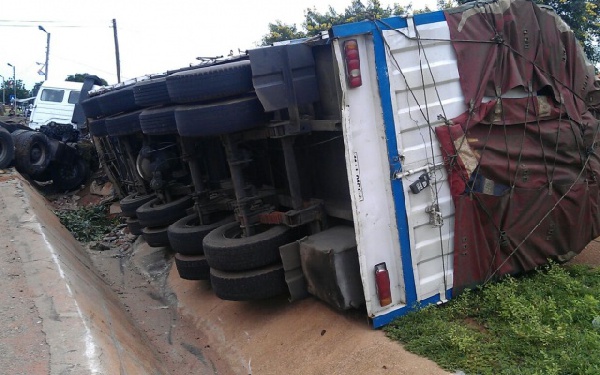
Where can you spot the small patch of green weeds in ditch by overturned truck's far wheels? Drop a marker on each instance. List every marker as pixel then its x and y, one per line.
pixel 87 223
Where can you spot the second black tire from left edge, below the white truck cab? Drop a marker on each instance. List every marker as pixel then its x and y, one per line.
pixel 32 152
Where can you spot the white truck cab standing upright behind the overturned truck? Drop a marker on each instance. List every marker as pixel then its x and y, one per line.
pixel 55 102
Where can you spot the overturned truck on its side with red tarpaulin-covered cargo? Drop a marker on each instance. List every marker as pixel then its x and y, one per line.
pixel 383 165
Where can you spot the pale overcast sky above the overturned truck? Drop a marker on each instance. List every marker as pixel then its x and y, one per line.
pixel 153 36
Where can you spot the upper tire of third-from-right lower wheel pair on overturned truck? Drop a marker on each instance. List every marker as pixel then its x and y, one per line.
pixel 156 214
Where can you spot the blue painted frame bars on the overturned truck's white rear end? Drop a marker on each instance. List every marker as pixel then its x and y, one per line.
pixel 374 28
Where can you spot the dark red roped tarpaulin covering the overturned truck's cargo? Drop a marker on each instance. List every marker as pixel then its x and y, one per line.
pixel 521 160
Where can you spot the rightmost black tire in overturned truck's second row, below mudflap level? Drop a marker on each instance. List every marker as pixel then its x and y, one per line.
pixel 224 117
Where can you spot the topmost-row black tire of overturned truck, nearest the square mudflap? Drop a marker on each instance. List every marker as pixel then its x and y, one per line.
pixel 210 83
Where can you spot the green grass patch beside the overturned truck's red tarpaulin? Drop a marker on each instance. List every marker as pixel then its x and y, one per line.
pixel 547 323
